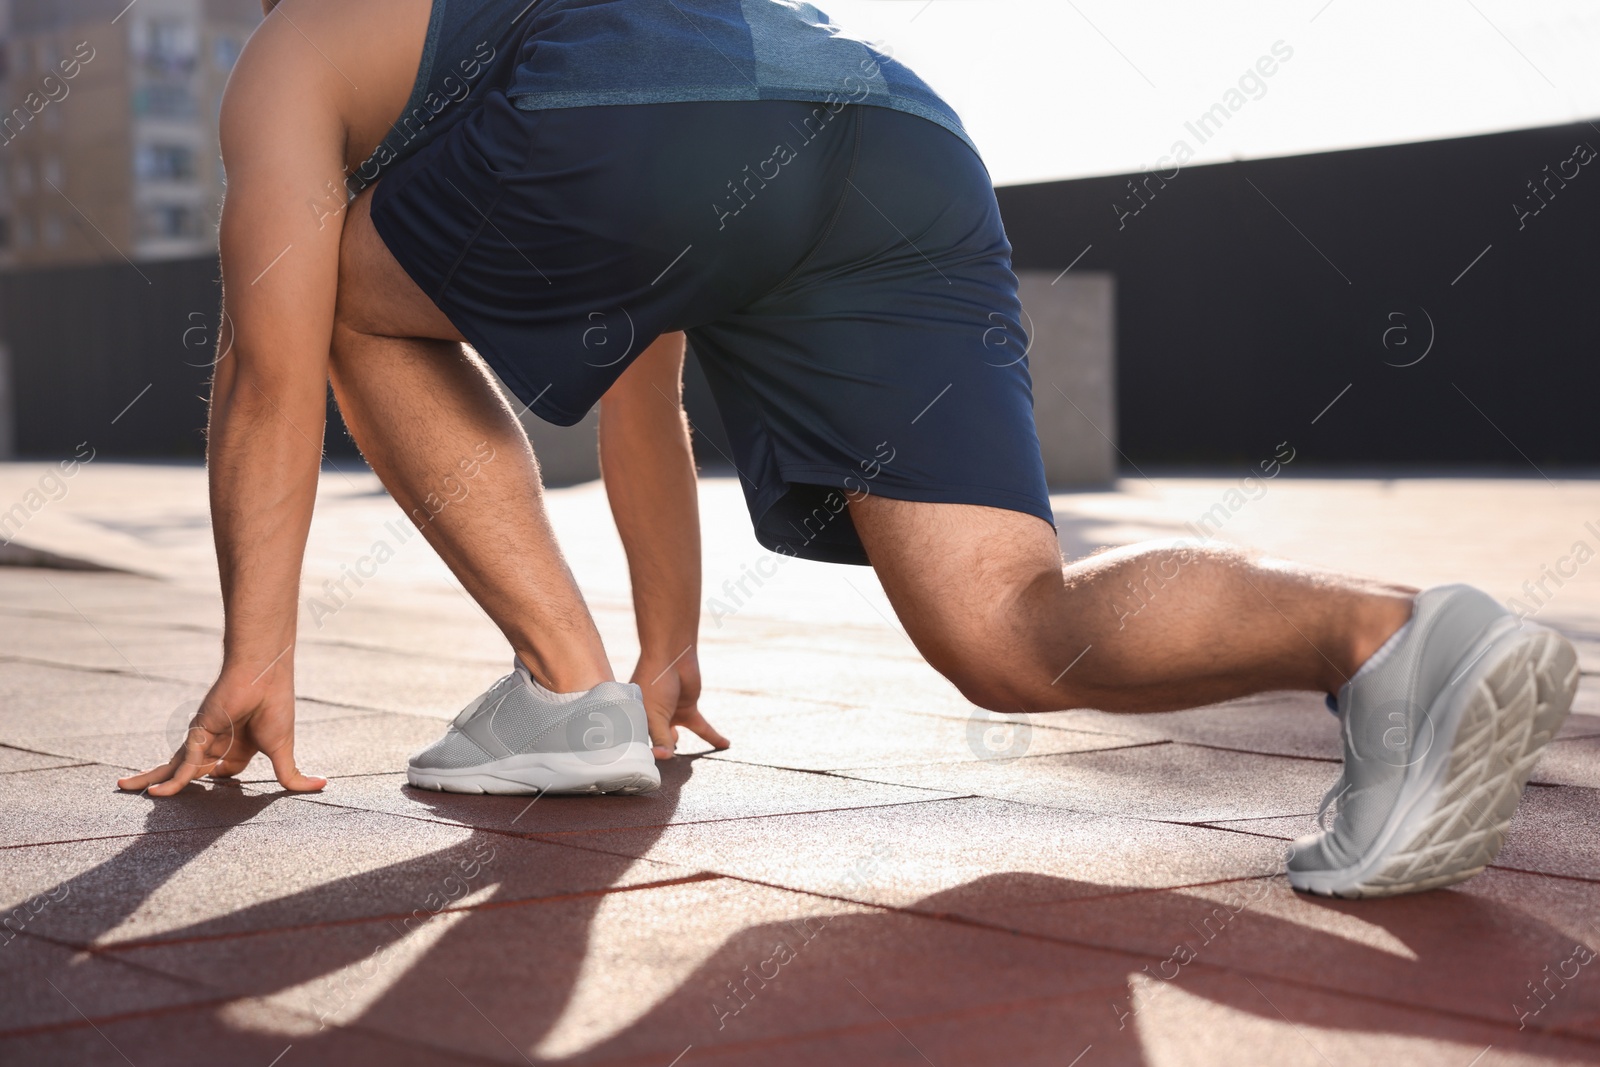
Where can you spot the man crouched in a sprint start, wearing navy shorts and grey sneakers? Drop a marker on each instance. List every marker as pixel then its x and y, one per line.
pixel 575 177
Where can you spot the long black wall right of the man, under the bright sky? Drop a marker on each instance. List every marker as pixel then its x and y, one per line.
pixel 1250 295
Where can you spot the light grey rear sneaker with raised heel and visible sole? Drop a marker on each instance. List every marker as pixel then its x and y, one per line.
pixel 1439 740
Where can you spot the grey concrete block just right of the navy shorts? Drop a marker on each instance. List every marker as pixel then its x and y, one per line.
pixel 1073 356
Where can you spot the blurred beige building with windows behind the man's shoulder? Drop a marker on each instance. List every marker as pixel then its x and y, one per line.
pixel 108 146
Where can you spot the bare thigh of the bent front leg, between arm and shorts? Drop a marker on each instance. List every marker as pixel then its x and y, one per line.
pixel 377 297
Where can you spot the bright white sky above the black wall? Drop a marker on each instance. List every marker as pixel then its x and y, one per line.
pixel 1070 89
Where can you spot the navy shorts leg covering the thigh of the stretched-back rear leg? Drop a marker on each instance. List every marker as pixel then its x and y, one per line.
pixel 892 361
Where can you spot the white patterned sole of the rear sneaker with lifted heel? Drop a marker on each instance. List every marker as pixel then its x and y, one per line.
pixel 1452 821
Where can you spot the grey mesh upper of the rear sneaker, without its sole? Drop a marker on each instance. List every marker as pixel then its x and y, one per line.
pixel 1388 722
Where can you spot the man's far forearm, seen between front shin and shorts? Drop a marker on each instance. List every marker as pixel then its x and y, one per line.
pixel 649 468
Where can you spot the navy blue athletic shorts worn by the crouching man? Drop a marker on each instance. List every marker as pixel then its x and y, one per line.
pixel 844 279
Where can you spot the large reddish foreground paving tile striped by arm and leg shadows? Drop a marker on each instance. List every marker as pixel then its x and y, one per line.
pixel 708 964
